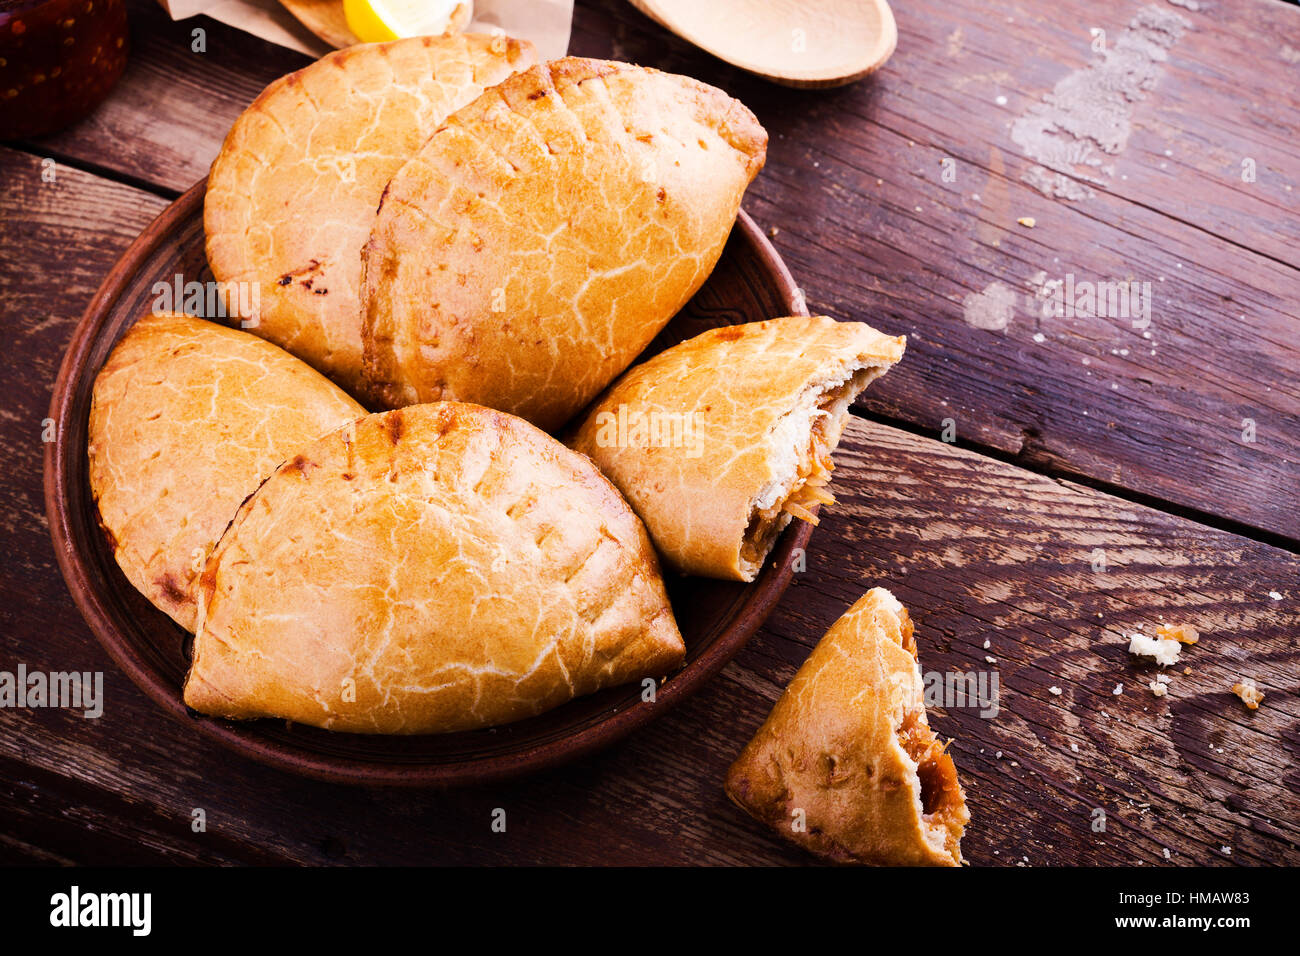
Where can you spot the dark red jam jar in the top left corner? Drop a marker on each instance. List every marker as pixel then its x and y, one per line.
pixel 58 60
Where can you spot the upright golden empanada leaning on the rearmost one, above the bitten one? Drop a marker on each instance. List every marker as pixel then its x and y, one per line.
pixel 547 233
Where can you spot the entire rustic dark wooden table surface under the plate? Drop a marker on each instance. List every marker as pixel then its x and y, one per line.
pixel 1098 478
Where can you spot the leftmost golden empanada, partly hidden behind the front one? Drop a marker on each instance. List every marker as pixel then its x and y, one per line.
pixel 187 419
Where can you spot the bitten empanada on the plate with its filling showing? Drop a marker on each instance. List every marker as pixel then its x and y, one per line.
pixel 720 442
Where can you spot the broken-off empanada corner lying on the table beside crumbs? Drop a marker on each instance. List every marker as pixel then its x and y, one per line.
pixel 850 746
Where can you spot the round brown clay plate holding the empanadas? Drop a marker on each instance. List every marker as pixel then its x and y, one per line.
pixel 717 618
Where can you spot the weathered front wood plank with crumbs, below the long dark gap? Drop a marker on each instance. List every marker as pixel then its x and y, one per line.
pixel 977 550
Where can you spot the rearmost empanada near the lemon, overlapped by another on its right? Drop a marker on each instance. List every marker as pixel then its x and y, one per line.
pixel 293 194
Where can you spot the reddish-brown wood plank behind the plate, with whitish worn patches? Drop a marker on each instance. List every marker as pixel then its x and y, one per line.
pixel 1202 409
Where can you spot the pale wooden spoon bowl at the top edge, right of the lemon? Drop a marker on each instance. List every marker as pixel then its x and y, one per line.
pixel 805 44
